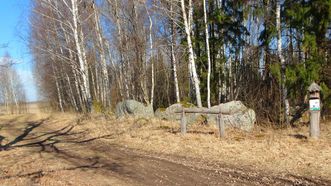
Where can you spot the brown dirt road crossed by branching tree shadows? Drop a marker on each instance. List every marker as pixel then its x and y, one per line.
pixel 47 151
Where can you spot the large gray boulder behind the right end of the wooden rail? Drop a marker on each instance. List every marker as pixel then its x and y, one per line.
pixel 240 116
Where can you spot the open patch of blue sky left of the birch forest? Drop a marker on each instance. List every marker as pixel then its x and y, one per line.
pixel 14 15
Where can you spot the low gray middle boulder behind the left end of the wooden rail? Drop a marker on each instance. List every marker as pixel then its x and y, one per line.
pixel 170 115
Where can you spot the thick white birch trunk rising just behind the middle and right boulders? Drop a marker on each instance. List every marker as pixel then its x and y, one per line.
pixel 192 66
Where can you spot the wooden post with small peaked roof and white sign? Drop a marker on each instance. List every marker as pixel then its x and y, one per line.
pixel 315 110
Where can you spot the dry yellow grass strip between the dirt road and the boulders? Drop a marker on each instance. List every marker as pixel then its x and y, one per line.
pixel 281 151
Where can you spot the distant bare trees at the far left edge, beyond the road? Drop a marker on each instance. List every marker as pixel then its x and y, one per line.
pixel 12 95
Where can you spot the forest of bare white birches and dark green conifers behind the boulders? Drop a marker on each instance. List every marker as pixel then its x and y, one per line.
pixel 264 53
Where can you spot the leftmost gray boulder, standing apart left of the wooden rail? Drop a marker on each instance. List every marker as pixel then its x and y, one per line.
pixel 133 108
